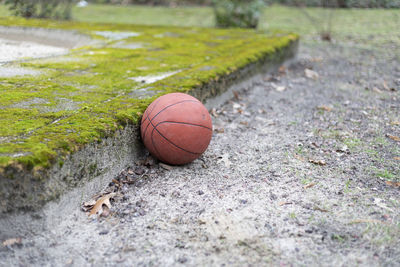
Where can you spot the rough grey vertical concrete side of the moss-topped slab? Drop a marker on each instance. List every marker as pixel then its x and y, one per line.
pixel 89 170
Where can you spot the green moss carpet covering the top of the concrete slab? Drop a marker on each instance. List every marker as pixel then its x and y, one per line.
pixel 87 95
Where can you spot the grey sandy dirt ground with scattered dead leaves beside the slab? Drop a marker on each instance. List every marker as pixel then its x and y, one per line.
pixel 298 174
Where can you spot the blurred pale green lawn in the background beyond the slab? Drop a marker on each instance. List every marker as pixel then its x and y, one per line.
pixel 375 27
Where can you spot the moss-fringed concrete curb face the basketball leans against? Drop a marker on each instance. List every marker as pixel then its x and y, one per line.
pixel 101 158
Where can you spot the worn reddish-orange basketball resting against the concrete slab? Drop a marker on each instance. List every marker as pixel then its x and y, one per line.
pixel 176 128
